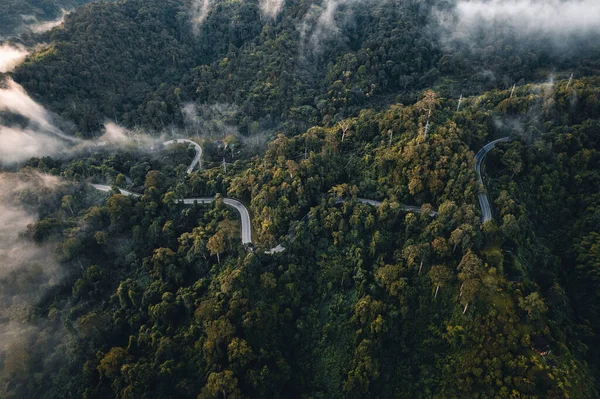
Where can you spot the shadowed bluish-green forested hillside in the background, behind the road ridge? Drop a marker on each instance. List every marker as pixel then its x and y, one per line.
pixel 141 62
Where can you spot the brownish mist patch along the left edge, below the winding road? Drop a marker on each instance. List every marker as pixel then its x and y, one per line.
pixel 27 272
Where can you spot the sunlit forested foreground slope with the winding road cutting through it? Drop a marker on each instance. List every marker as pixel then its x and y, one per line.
pixel 365 301
